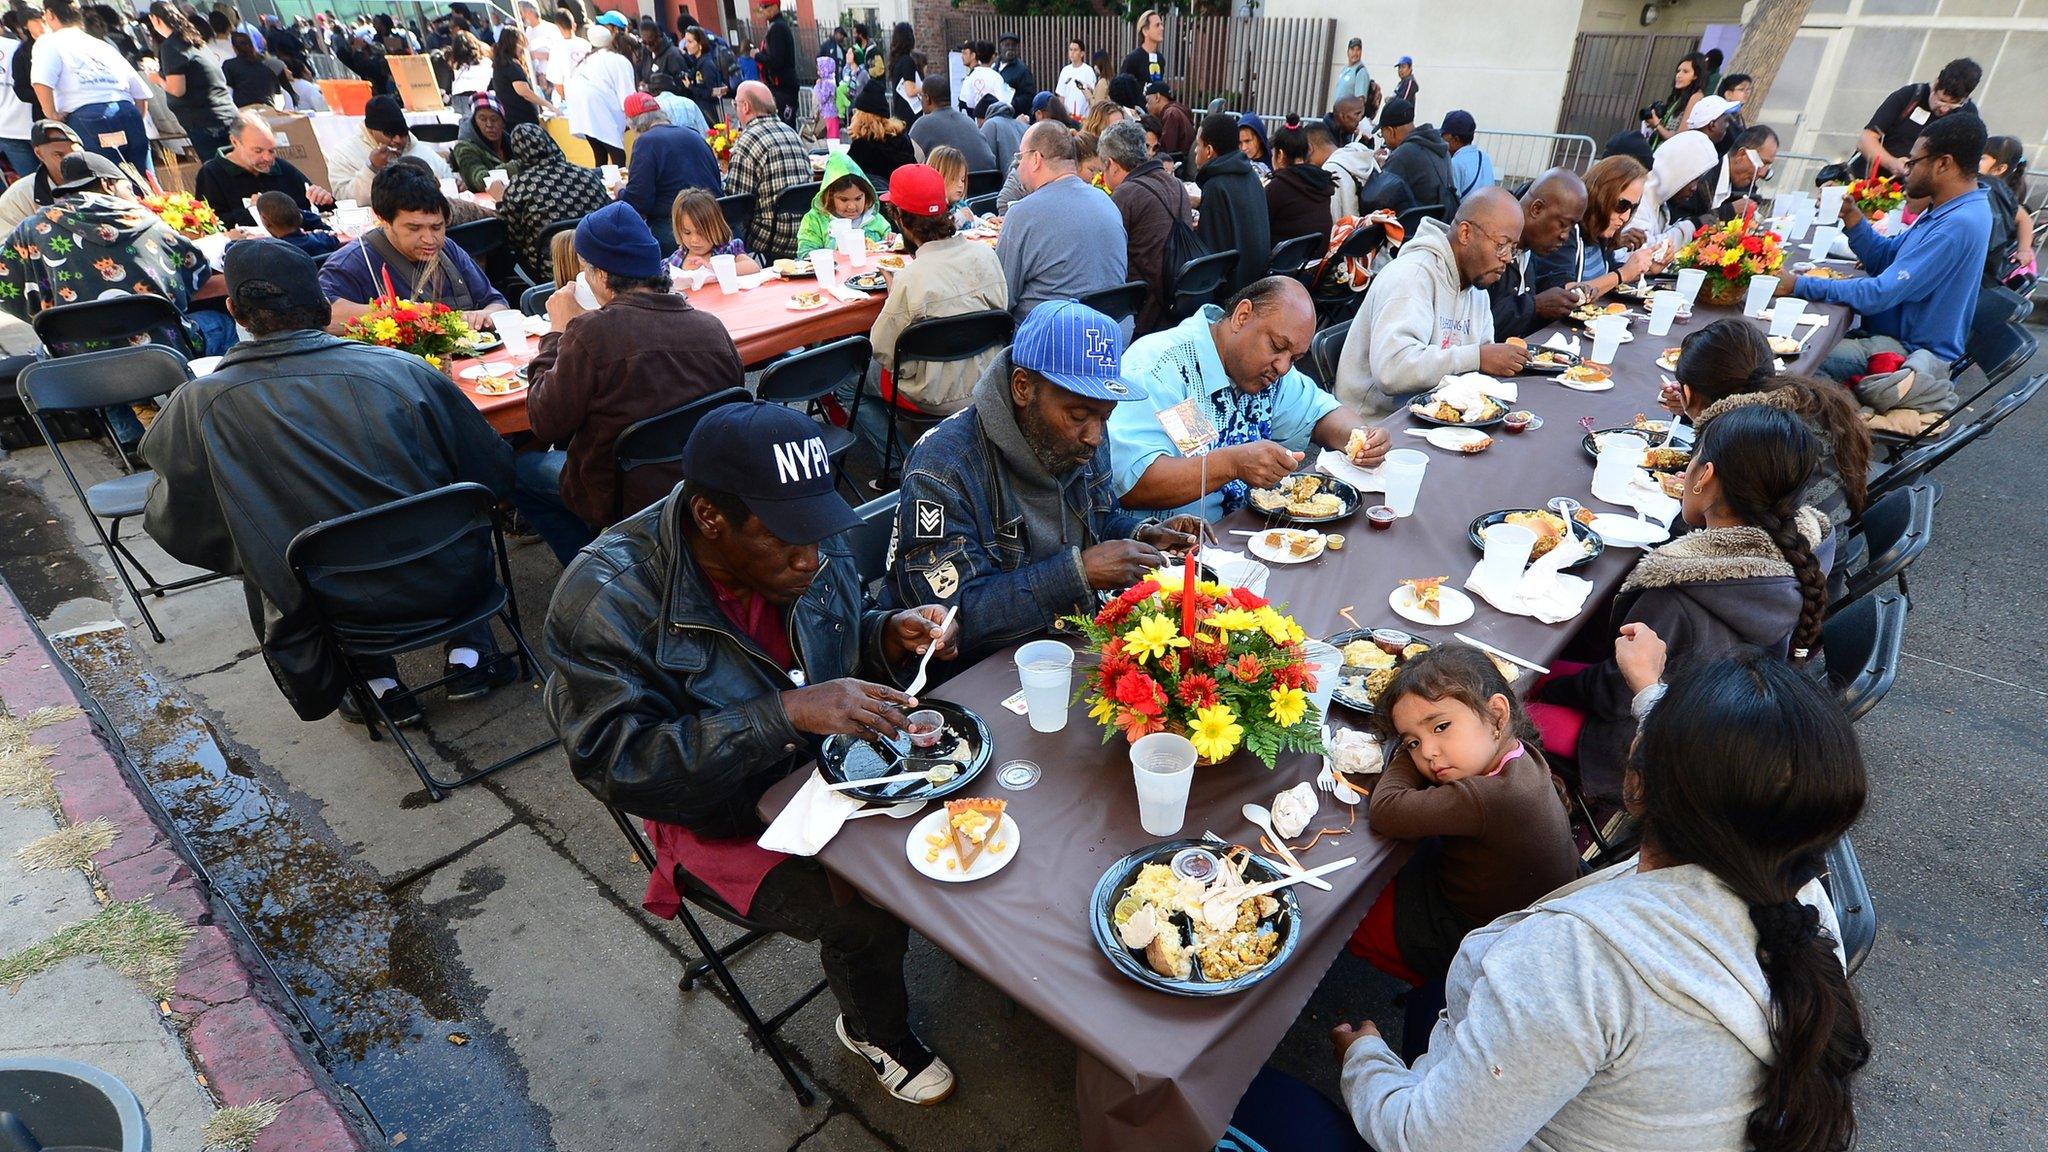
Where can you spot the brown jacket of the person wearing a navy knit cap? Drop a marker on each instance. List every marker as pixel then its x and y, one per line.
pixel 640 356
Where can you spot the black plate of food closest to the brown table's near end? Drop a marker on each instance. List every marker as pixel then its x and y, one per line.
pixel 1170 917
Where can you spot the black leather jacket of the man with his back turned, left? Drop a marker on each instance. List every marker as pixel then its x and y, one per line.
pixel 296 429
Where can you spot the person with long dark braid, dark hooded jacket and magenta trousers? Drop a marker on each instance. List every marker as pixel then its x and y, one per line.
pixel 1754 571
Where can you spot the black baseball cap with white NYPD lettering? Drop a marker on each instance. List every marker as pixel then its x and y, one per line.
pixel 775 460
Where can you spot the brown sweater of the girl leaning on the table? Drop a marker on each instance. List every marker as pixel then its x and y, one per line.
pixel 1504 841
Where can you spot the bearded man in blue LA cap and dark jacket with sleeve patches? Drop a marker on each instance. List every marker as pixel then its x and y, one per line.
pixel 1007 509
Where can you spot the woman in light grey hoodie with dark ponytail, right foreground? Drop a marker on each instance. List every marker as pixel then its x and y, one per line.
pixel 1691 999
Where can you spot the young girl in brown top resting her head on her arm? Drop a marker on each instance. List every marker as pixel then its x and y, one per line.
pixel 1467 778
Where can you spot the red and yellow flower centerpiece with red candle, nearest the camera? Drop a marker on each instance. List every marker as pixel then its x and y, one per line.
pixel 1218 665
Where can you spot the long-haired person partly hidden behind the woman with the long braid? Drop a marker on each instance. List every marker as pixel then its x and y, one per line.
pixel 1730 366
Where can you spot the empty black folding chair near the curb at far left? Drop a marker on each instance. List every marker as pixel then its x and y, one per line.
pixel 87 384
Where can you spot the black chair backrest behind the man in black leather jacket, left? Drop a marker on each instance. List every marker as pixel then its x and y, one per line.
pixel 400 569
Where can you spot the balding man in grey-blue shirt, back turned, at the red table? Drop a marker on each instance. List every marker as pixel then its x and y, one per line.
pixel 1066 239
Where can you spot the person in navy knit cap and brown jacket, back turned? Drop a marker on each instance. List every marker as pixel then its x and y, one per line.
pixel 642 354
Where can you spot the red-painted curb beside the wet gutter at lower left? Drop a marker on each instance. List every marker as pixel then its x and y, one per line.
pixel 239 1040
